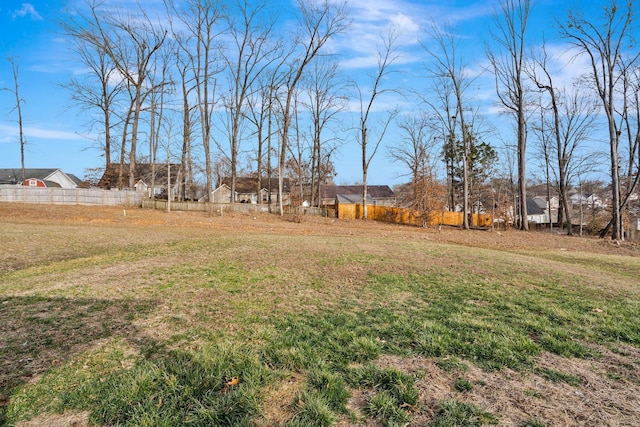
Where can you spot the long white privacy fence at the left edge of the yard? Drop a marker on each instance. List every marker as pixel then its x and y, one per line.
pixel 69 196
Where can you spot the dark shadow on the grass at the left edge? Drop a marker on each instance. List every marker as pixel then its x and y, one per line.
pixel 38 333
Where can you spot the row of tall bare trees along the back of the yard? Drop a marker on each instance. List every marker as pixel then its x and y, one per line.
pixel 220 88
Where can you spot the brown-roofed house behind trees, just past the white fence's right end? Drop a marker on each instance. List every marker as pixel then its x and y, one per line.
pixel 149 179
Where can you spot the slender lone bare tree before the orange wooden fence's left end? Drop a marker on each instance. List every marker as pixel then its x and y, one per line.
pixel 370 141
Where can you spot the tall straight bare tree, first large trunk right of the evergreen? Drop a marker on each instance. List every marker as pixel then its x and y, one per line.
pixel 510 31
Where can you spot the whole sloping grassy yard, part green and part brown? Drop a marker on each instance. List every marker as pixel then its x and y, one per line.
pixel 142 318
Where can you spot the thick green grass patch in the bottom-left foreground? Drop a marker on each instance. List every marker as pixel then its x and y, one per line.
pixel 162 388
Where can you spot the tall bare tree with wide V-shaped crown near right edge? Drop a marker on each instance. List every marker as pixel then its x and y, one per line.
pixel 604 44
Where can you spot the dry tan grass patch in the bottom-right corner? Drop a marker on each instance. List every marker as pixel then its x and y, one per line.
pixel 519 397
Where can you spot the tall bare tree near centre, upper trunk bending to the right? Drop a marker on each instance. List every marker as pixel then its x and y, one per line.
pixel 319 22
